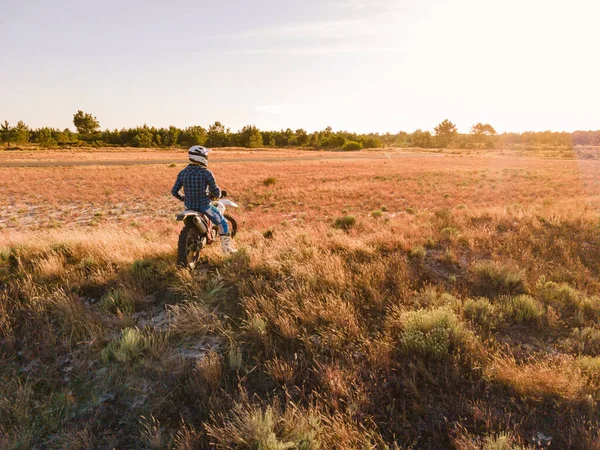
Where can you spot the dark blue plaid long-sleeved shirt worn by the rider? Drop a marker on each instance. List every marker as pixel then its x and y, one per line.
pixel 197 183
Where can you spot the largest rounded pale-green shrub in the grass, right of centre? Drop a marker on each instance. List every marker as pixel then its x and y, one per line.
pixel 433 333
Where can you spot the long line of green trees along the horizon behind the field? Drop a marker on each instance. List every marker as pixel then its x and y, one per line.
pixel 445 134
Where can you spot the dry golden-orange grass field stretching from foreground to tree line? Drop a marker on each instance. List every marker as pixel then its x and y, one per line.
pixel 399 301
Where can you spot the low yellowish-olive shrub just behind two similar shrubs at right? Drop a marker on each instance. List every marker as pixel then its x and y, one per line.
pixel 491 278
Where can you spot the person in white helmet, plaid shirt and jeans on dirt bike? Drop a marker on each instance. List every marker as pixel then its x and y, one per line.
pixel 198 185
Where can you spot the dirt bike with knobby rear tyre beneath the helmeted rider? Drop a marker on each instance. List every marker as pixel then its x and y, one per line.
pixel 199 231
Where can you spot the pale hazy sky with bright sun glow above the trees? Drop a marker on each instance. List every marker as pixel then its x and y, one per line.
pixel 357 65
